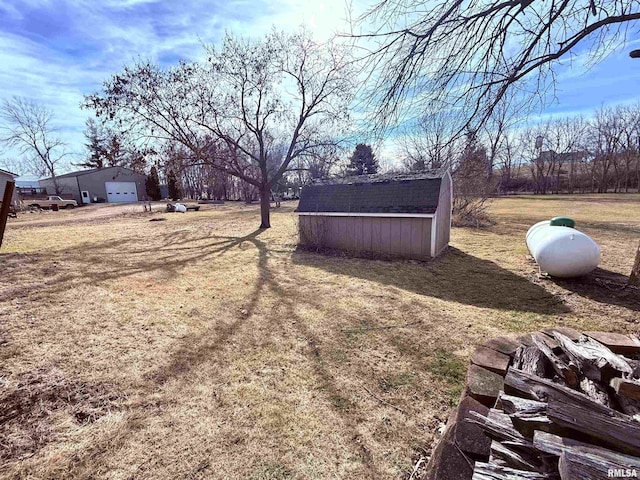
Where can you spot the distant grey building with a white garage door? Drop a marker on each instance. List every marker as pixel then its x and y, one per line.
pixel 109 184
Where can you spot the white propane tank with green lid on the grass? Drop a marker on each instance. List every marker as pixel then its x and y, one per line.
pixel 562 251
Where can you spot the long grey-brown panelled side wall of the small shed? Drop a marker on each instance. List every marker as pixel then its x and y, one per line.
pixel 403 237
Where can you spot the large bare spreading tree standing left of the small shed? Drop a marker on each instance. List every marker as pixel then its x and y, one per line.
pixel 267 103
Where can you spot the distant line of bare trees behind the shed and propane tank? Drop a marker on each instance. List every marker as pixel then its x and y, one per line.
pixel 569 155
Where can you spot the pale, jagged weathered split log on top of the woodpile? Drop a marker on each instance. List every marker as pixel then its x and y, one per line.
pixel 592 357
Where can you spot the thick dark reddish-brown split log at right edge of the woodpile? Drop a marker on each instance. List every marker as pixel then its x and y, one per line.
pixel 616 430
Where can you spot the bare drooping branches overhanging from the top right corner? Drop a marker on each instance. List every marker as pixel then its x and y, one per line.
pixel 469 54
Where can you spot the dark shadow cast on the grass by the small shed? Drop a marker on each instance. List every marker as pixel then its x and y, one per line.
pixel 456 276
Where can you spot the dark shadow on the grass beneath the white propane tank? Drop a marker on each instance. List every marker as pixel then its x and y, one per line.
pixel 603 286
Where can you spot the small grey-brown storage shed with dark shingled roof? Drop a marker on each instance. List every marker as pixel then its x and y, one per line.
pixel 405 215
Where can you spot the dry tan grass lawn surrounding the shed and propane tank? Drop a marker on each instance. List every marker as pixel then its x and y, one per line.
pixel 201 347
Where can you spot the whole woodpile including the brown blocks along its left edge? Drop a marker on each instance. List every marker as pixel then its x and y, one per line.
pixel 556 405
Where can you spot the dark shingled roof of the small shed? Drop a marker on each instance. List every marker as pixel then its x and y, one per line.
pixel 408 193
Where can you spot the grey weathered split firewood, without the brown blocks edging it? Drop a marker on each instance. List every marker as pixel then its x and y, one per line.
pixel 569 409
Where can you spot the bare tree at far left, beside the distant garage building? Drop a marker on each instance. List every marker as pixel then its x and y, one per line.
pixel 29 128
